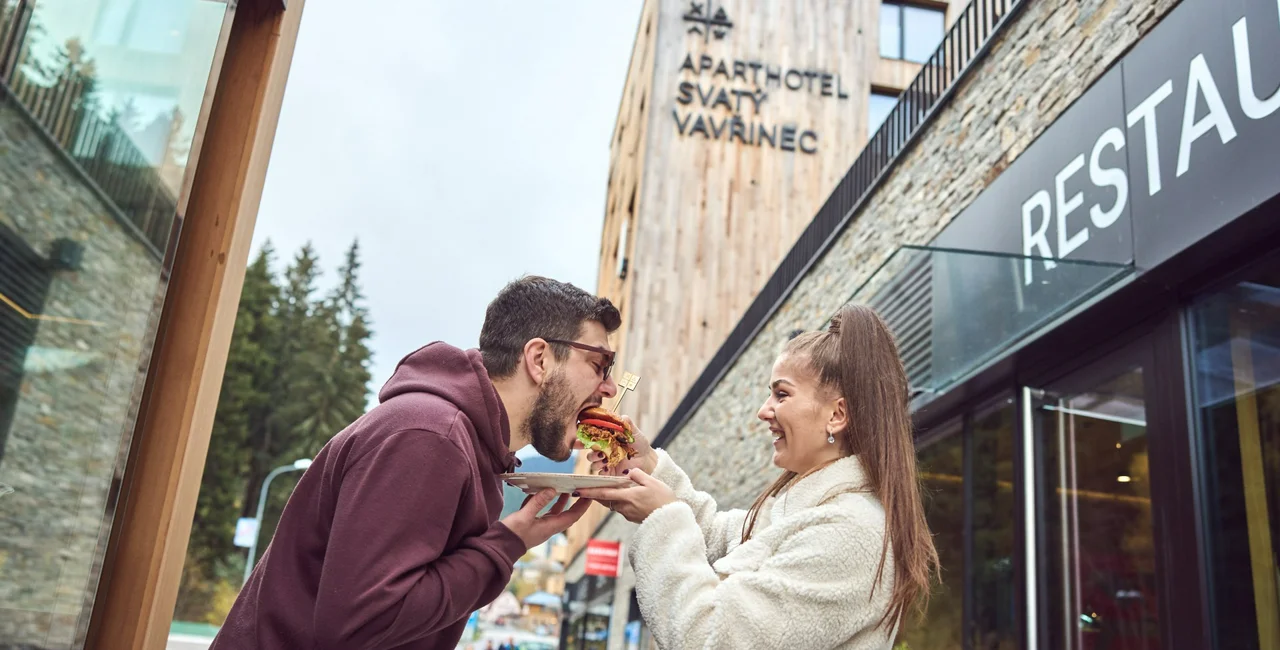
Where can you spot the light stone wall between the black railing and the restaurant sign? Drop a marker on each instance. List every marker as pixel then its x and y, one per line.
pixel 1036 68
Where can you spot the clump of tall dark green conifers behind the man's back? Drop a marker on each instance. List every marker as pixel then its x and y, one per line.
pixel 298 373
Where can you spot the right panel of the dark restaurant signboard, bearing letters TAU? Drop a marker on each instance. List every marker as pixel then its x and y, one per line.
pixel 1218 153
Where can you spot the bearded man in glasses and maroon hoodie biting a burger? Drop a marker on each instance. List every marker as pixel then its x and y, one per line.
pixel 390 541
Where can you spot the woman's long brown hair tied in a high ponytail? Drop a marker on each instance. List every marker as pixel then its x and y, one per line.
pixel 858 358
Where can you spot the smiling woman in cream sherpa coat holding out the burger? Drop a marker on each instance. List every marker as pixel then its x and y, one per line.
pixel 834 553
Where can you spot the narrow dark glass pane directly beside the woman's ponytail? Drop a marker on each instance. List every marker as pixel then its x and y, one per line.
pixel 943 475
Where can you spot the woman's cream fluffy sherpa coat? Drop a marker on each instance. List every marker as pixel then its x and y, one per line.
pixel 803 582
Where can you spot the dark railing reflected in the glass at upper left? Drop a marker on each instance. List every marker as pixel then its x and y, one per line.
pixel 61 99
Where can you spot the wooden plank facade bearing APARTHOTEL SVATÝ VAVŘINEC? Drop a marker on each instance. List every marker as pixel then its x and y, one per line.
pixel 737 121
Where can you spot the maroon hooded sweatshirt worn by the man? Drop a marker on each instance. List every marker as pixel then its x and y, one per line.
pixel 391 539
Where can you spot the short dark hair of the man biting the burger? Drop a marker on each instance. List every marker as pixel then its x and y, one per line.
pixel 538 308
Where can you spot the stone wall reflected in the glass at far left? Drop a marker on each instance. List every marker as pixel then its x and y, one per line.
pixel 79 396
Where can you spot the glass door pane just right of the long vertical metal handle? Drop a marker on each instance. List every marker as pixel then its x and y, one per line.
pixel 1101 578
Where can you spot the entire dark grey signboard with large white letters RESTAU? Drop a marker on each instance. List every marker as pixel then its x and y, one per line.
pixel 1178 140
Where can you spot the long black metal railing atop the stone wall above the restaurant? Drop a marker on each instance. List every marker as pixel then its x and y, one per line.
pixel 964 43
